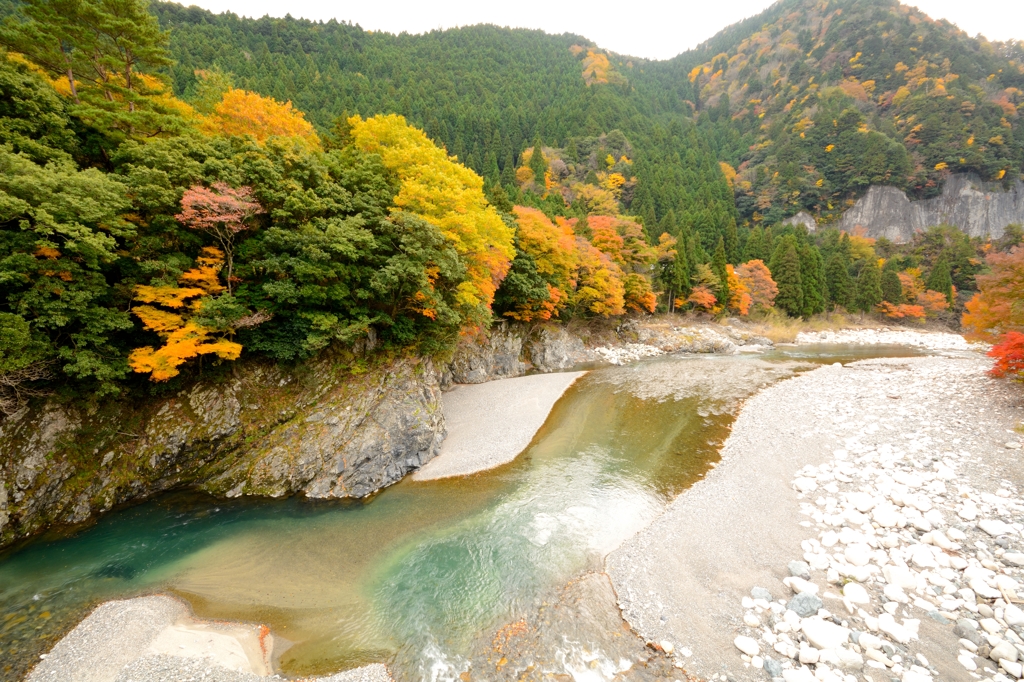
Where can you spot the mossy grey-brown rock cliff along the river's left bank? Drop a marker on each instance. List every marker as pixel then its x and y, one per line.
pixel 331 429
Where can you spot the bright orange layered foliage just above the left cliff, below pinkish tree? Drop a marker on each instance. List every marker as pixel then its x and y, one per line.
pixel 184 337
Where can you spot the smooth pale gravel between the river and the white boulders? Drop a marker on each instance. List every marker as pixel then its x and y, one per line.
pixel 688 578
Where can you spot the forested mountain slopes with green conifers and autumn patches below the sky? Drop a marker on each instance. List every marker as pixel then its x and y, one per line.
pixel 810 102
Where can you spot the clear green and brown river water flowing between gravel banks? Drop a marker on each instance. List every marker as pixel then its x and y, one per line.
pixel 415 575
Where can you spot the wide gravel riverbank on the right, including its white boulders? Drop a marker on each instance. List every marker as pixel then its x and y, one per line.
pixel 865 476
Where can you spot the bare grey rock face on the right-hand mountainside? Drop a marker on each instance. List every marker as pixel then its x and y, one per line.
pixel 980 209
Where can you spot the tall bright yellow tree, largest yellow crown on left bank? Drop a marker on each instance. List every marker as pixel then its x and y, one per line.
pixel 448 195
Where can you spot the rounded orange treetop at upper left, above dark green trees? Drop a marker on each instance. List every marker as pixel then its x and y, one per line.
pixel 243 113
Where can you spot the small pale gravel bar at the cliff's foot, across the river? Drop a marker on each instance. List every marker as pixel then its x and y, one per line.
pixel 490 424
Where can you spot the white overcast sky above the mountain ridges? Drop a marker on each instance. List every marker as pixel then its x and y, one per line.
pixel 638 28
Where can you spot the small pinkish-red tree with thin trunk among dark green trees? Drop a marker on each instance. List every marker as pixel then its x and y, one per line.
pixel 222 212
